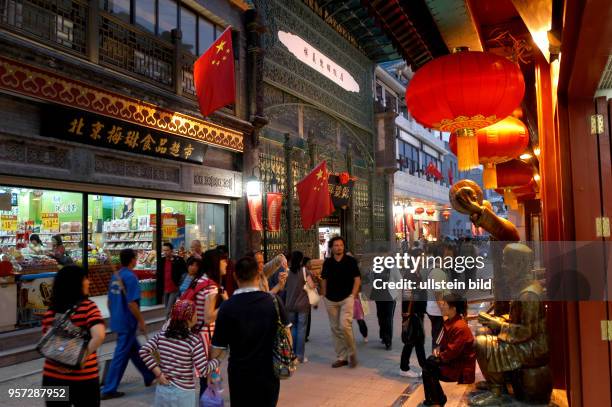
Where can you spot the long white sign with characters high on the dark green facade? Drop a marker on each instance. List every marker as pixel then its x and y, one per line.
pixel 318 61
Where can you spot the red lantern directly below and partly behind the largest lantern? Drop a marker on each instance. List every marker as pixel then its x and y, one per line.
pixel 500 142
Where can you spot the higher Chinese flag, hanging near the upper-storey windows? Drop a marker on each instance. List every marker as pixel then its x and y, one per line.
pixel 213 74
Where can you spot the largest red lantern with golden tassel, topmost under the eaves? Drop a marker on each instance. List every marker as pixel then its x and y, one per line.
pixel 463 92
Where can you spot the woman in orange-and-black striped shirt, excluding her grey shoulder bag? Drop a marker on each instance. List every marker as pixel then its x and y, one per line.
pixel 70 288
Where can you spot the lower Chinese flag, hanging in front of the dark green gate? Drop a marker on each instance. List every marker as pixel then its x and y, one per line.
pixel 313 192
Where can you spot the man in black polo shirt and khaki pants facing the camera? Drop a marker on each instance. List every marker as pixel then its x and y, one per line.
pixel 340 286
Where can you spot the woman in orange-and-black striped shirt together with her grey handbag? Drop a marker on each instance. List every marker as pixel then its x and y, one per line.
pixel 78 369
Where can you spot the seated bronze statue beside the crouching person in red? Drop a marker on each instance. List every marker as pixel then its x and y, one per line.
pixel 517 343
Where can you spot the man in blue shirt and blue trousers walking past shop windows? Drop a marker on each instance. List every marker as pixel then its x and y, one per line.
pixel 125 316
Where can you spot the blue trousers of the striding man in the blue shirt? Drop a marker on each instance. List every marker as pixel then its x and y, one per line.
pixel 126 349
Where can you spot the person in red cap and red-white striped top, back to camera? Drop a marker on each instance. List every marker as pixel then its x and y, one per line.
pixel 179 351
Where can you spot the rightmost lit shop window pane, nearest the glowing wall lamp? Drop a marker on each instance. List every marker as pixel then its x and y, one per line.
pixel 183 222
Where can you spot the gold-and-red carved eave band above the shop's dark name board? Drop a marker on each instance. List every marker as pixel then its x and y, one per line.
pixel 47 86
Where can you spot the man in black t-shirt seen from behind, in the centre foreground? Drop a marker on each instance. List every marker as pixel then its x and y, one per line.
pixel 246 324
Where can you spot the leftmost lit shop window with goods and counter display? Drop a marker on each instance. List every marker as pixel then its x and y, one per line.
pixel 40 231
